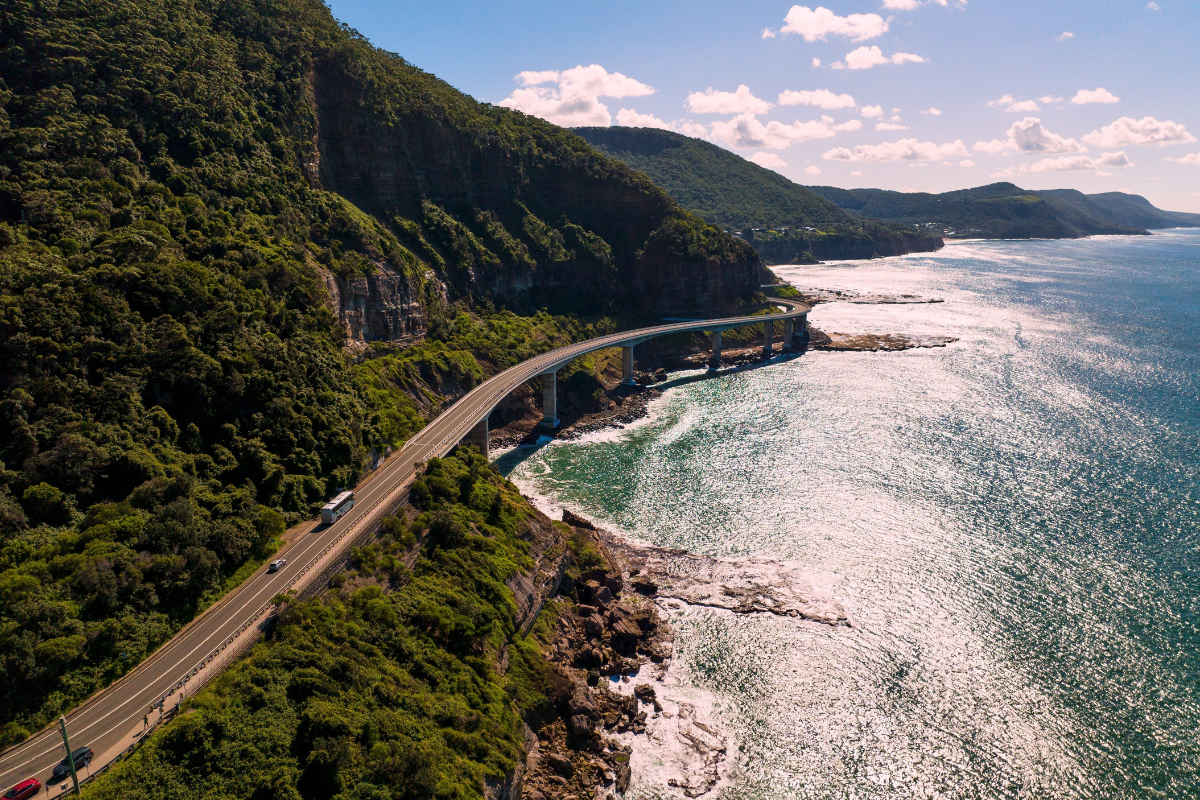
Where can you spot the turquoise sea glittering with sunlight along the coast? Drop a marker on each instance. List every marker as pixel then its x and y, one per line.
pixel 1012 521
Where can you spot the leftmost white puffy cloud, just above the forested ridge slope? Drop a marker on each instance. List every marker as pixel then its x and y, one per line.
pixel 574 101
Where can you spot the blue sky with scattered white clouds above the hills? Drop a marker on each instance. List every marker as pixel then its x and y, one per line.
pixel 1099 95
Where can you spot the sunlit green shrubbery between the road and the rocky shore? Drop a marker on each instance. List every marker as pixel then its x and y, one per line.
pixel 385 688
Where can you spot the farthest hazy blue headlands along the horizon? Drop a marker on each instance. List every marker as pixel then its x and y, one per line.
pixel 1009 212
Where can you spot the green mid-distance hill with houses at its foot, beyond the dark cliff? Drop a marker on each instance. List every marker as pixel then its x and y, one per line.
pixel 787 222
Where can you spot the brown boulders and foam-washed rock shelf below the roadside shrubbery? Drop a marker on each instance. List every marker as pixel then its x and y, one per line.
pixel 628 714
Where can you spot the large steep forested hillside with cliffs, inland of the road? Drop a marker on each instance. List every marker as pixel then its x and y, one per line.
pixel 206 208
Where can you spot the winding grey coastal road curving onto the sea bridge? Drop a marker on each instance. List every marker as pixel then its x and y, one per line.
pixel 118 717
